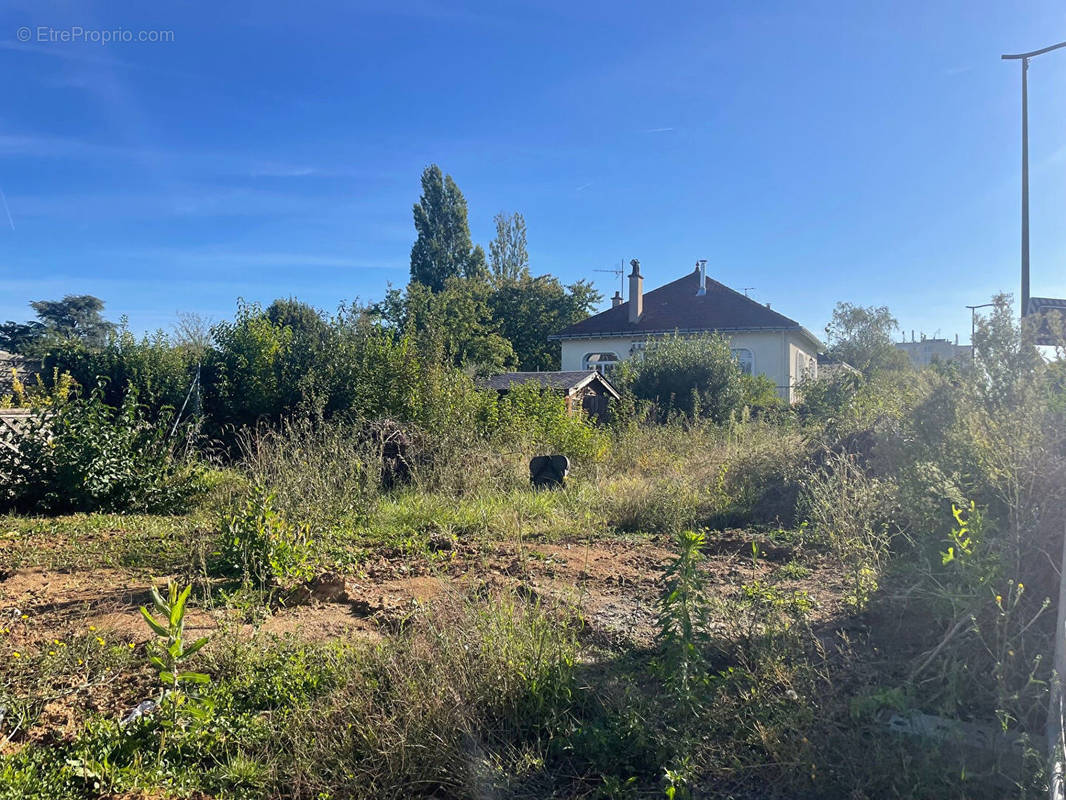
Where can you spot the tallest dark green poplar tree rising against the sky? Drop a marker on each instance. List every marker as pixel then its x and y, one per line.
pixel 443 249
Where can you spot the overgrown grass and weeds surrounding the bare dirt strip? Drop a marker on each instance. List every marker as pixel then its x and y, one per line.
pixel 492 695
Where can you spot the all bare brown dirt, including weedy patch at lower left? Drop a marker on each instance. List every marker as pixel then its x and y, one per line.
pixel 613 584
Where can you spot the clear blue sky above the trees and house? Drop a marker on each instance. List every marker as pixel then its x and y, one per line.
pixel 817 152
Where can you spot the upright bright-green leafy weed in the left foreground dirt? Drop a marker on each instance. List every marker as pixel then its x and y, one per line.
pixel 170 653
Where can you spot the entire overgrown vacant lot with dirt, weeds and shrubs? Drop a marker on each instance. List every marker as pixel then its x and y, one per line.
pixel 850 600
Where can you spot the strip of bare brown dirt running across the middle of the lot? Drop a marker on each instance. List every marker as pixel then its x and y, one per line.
pixel 613 584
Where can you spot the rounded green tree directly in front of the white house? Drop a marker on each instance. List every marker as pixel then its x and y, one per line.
pixel 696 376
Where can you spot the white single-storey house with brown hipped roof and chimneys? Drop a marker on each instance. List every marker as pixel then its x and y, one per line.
pixel 764 342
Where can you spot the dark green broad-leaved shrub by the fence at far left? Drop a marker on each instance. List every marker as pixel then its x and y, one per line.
pixel 86 456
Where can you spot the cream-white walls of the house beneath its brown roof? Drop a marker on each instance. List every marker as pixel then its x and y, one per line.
pixel 785 357
